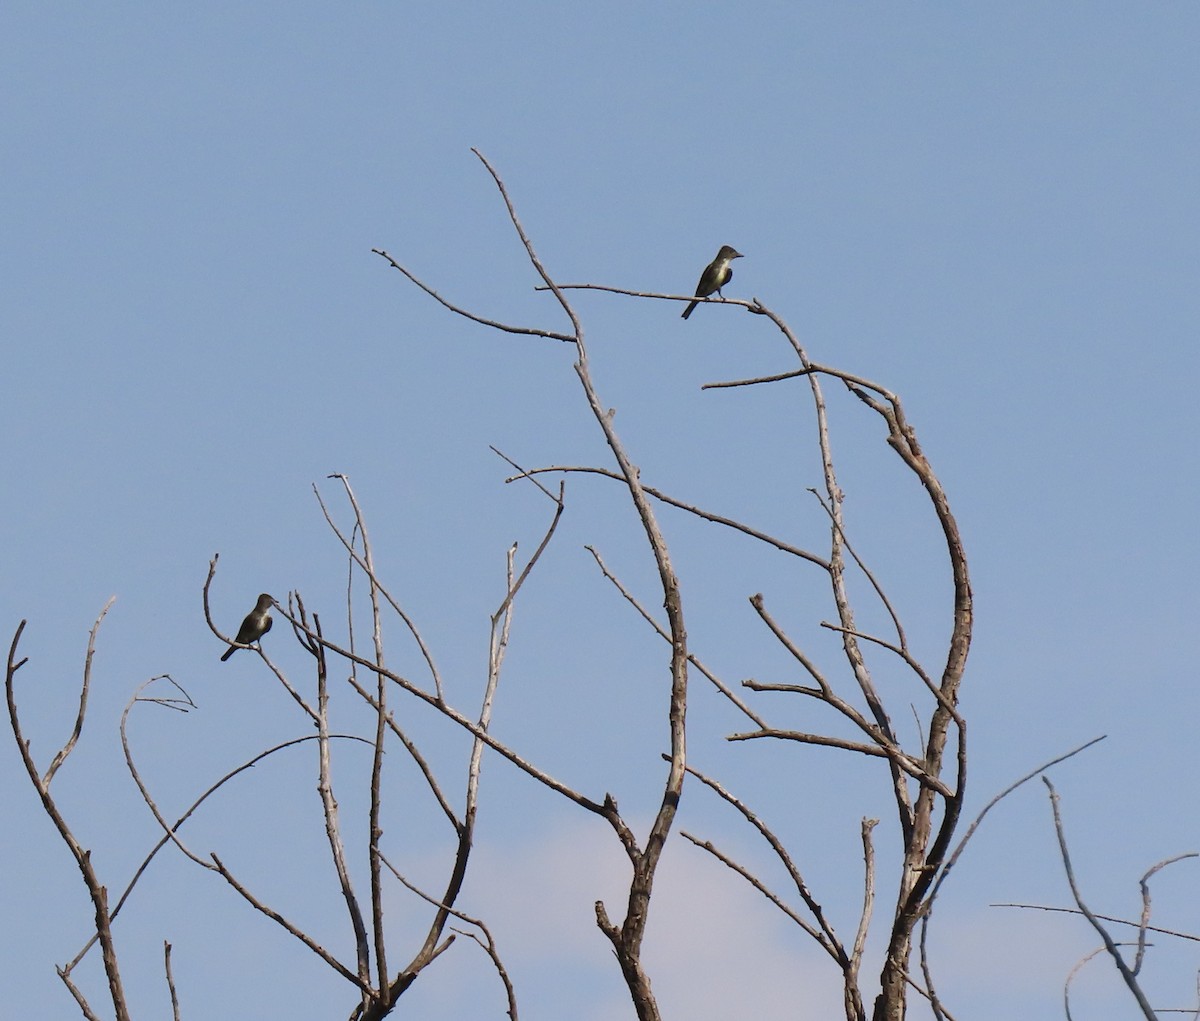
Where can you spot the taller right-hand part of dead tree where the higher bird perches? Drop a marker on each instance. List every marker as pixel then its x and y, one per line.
pixel 927 782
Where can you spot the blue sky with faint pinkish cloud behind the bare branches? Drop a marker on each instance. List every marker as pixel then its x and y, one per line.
pixel 992 211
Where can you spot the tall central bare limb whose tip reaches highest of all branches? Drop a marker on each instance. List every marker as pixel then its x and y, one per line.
pixel 628 939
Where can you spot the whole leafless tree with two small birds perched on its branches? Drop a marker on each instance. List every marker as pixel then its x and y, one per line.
pixel 926 778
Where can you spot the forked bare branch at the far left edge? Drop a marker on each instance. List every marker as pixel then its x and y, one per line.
pixel 98 893
